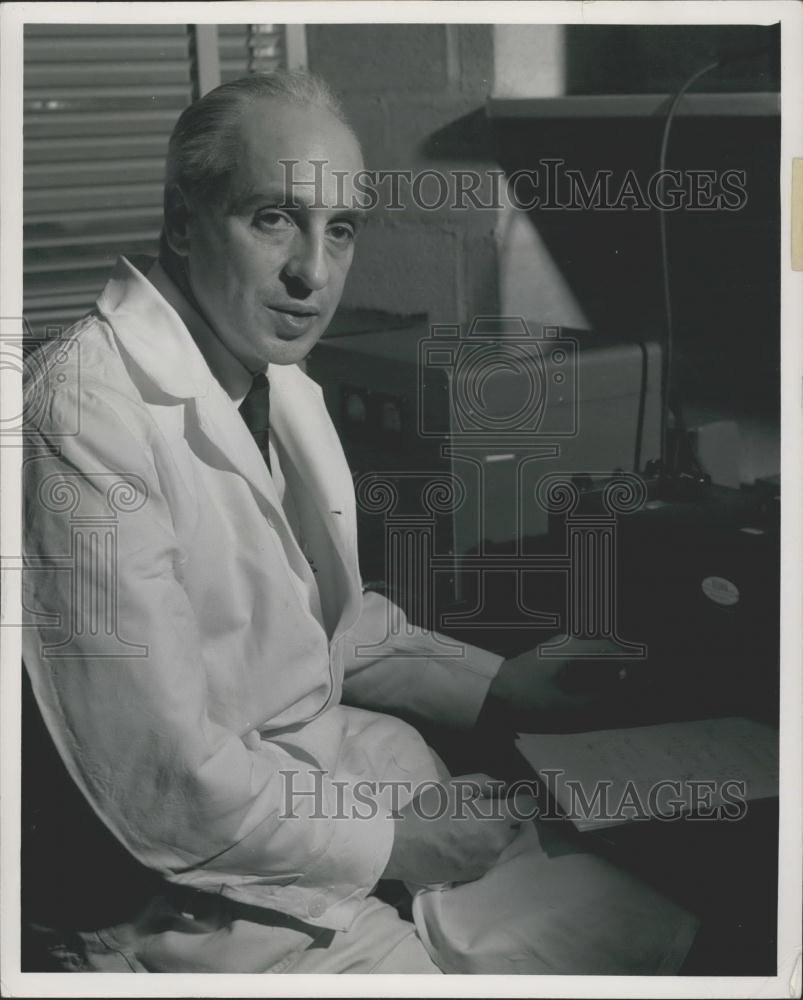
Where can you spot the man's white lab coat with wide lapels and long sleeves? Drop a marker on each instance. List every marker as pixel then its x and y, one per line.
pixel 190 670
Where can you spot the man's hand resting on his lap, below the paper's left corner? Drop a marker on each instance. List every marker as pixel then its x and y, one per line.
pixel 468 831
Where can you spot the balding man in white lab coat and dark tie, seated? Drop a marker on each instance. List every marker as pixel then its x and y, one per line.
pixel 196 658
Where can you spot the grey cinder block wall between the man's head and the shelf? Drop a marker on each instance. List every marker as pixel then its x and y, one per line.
pixel 416 94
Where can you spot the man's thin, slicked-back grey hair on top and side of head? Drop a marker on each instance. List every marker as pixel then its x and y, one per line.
pixel 203 150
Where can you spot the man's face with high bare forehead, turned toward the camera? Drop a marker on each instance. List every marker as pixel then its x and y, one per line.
pixel 268 265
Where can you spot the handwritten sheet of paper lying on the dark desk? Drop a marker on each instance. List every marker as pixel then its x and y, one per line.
pixel 710 768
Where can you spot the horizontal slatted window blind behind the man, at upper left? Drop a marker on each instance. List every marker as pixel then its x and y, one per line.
pixel 100 102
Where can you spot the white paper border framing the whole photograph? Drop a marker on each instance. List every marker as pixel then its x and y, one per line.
pixel 787 982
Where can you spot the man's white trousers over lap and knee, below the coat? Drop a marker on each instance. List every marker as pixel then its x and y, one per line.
pixel 548 906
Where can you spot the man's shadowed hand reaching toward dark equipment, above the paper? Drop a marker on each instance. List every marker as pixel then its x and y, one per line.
pixel 531 683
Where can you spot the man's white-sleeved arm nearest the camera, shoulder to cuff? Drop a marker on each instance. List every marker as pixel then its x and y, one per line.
pixel 185 795
